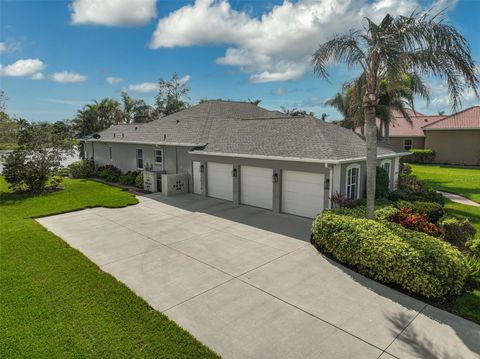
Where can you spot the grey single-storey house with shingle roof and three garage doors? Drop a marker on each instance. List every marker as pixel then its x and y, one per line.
pixel 245 154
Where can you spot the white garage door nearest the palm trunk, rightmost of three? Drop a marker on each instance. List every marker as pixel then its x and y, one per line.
pixel 302 193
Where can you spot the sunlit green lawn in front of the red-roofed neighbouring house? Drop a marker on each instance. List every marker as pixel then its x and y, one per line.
pixel 459 180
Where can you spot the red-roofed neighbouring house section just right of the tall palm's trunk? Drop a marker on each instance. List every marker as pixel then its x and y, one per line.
pixel 409 134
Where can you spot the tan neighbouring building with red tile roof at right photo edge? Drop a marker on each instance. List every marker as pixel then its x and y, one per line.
pixel 456 138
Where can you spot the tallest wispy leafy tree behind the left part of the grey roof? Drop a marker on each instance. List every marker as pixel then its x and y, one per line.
pixel 172 96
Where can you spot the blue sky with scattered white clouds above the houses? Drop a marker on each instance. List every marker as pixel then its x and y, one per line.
pixel 58 55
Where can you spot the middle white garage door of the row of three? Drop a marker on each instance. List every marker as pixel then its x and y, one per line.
pixel 256 187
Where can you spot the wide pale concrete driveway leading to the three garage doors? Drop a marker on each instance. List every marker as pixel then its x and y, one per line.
pixel 248 284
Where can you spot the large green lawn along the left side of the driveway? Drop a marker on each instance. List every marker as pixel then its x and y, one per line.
pixel 54 302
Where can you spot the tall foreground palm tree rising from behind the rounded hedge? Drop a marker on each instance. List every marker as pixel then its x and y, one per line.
pixel 420 44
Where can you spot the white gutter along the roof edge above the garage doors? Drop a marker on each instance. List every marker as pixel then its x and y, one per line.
pixel 295 159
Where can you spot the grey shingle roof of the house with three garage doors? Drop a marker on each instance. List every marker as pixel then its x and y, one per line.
pixel 239 128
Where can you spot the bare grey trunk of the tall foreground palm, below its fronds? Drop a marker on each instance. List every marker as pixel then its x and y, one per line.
pixel 371 139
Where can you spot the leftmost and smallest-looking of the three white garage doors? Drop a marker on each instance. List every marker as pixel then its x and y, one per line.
pixel 219 179
